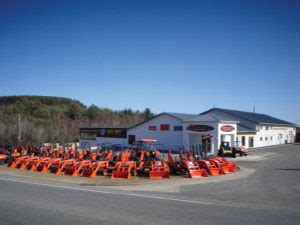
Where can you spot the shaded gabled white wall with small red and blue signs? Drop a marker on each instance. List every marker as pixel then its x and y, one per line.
pixel 167 139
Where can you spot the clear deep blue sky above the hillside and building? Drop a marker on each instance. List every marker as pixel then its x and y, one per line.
pixel 180 56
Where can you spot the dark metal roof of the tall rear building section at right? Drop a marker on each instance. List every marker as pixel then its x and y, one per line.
pixel 250 116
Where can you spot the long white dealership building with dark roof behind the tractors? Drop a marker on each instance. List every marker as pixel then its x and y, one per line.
pixel 175 131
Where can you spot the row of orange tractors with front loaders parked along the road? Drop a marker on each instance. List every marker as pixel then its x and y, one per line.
pixel 124 164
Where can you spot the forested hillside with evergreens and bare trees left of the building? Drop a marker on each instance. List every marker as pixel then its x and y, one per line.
pixel 56 119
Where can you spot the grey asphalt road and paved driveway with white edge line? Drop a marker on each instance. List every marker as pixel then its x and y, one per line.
pixel 270 195
